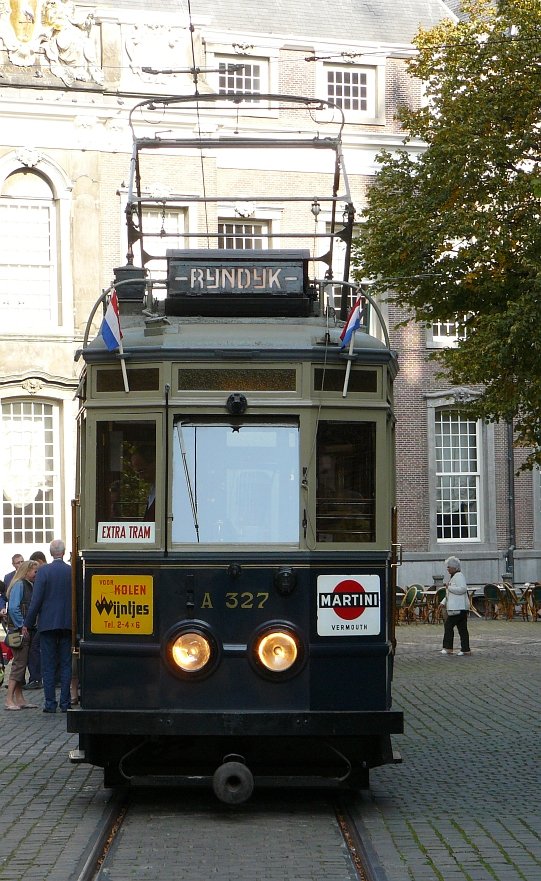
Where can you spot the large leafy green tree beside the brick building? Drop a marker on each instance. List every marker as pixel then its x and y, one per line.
pixel 455 232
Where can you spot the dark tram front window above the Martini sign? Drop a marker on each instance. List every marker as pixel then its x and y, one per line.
pixel 346 482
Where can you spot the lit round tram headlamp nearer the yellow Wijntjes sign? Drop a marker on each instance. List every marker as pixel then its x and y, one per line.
pixel 192 651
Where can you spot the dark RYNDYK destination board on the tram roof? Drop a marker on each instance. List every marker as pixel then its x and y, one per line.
pixel 226 274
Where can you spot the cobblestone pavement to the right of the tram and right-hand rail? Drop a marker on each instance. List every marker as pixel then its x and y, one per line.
pixel 464 805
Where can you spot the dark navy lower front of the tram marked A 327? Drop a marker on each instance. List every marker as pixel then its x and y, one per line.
pixel 331 719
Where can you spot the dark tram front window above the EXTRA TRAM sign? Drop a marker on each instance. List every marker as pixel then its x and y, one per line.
pixel 125 471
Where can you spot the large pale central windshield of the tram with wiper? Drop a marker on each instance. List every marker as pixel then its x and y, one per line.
pixel 236 483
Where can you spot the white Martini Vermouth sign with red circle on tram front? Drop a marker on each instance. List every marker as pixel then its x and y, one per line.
pixel 348 605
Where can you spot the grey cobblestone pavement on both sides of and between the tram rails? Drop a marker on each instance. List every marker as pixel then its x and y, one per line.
pixel 463 806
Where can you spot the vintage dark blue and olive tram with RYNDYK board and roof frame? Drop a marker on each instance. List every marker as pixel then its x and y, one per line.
pixel 234 518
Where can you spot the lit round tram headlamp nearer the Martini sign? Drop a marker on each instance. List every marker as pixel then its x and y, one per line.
pixel 277 650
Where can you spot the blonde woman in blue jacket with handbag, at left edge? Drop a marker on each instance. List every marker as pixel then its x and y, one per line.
pixel 19 594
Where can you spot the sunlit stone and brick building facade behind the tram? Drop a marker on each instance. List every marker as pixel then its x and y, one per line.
pixel 70 74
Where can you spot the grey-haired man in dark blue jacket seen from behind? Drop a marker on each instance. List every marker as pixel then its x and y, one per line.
pixel 51 605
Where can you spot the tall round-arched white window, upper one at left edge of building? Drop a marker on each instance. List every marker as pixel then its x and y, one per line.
pixel 29 289
